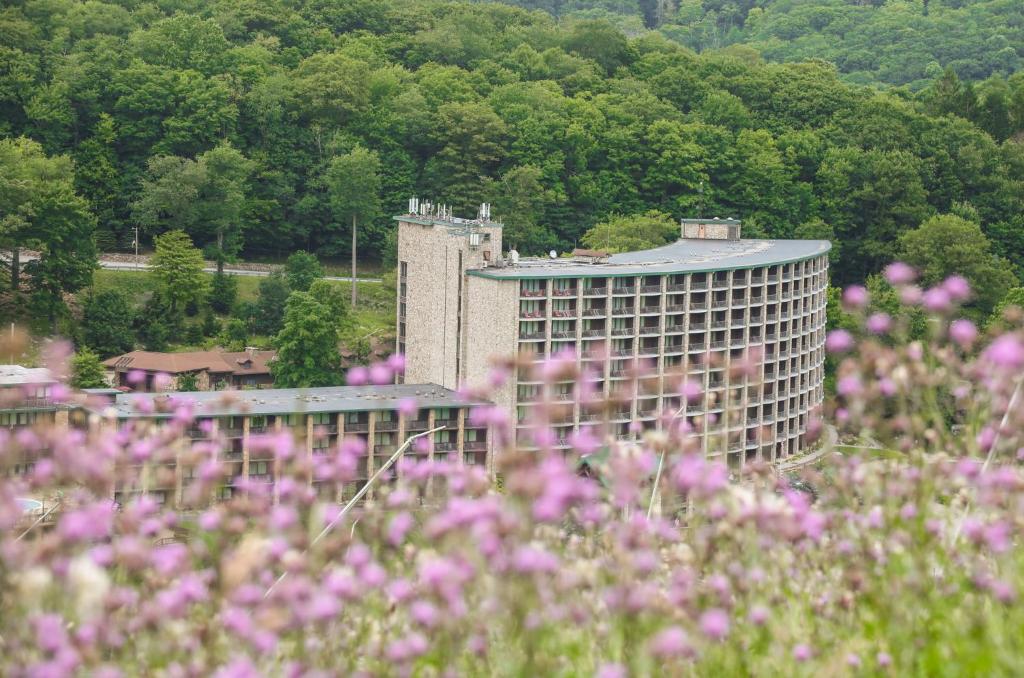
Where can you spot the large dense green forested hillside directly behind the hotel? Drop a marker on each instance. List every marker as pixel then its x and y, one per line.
pixel 227 120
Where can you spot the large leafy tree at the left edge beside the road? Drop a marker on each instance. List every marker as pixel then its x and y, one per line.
pixel 39 209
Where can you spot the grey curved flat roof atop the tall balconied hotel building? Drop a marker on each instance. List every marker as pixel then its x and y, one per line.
pixel 684 257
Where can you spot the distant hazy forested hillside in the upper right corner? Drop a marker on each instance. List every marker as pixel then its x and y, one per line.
pixel 882 43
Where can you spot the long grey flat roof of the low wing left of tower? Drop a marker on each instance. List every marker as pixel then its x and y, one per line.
pixel 287 401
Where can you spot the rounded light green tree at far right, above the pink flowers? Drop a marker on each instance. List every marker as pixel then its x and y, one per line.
pixel 947 245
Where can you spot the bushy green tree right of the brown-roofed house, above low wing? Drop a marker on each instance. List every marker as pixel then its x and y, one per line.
pixel 308 346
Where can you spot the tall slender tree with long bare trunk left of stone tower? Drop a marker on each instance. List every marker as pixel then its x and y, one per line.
pixel 354 184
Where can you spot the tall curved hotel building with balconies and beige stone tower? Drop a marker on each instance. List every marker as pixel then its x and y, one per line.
pixel 637 323
